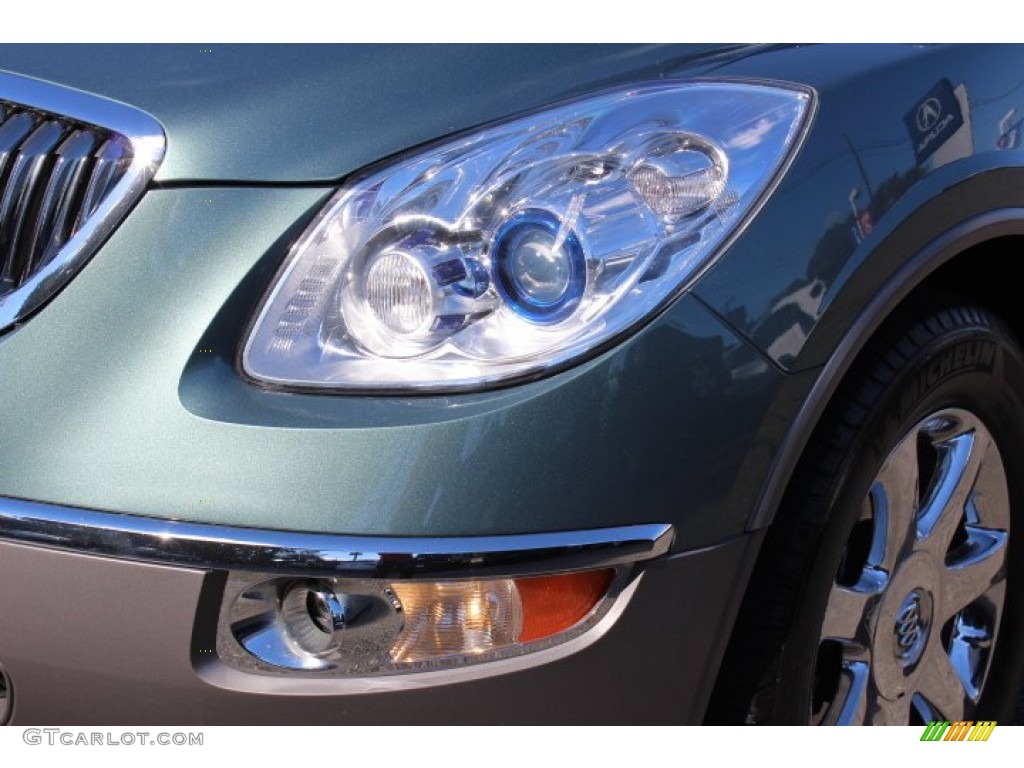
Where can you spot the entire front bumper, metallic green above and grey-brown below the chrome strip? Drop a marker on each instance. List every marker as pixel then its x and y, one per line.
pixel 122 396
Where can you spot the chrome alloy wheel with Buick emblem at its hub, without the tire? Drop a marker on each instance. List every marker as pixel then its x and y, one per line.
pixel 913 616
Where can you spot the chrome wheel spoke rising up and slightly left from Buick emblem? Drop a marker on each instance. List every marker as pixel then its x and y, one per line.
pixel 894 504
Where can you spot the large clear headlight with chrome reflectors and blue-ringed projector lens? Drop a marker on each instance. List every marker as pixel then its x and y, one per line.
pixel 523 246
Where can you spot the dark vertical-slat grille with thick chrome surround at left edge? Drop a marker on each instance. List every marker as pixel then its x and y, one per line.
pixel 71 166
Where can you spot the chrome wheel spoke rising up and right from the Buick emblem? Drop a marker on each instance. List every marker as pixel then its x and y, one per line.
pixel 961 458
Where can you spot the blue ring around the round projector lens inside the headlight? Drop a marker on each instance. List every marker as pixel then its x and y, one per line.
pixel 508 237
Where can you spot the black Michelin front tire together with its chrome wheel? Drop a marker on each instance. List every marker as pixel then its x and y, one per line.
pixel 889 588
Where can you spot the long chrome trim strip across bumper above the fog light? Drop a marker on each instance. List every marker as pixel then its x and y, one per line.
pixel 200 545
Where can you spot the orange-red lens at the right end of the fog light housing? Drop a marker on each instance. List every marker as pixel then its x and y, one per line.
pixel 553 605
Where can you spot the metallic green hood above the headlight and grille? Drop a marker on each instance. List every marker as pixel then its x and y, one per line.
pixel 311 113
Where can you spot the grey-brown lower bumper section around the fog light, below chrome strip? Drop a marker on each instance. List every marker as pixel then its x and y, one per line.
pixel 95 641
